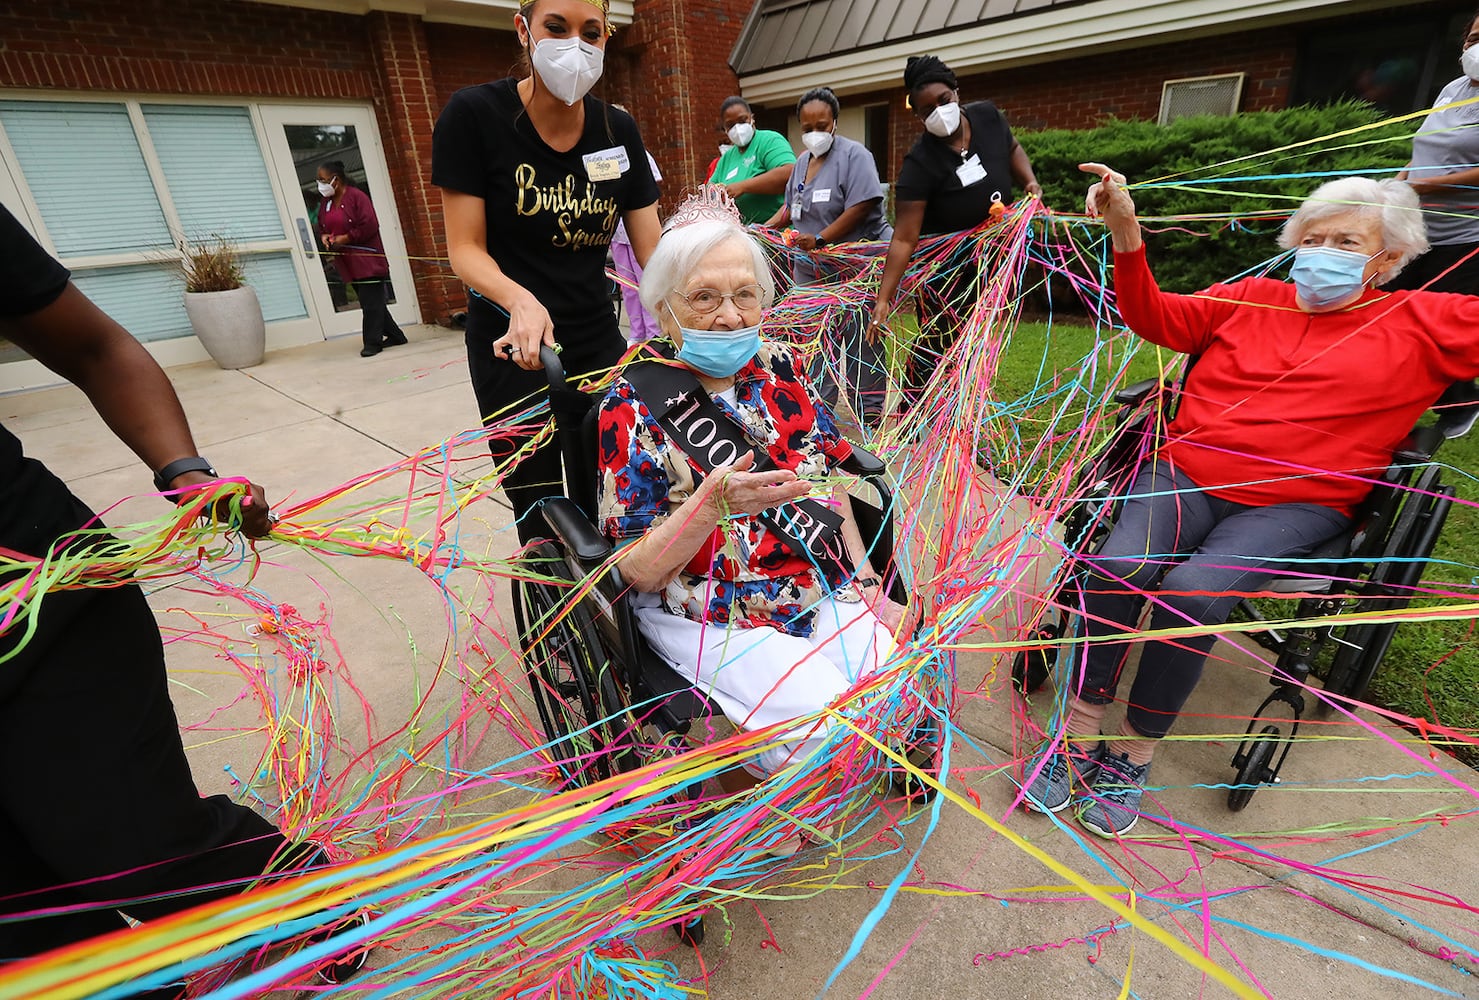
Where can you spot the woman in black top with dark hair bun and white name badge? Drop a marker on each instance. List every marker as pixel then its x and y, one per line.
pixel 965 163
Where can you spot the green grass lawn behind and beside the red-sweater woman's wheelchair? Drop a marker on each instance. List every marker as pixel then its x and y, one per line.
pixel 1432 671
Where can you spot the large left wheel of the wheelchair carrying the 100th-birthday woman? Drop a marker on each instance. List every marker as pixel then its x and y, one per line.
pixel 564 665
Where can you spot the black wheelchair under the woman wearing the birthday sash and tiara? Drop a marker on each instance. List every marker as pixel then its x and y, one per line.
pixel 607 702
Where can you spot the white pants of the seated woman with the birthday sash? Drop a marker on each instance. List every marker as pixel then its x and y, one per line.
pixel 764 677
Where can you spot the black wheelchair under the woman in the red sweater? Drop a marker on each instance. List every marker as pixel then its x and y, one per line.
pixel 1372 569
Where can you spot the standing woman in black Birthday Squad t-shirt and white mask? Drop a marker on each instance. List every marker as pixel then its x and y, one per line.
pixel 535 178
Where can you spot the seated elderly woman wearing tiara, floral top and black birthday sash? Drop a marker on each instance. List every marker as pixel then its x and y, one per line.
pixel 720 480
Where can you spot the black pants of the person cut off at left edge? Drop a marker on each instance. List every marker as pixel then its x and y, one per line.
pixel 98 810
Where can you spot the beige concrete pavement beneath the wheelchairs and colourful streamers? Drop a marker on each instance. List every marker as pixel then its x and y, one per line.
pixel 978 918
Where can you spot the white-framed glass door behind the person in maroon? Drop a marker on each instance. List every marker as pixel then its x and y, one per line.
pixel 302 138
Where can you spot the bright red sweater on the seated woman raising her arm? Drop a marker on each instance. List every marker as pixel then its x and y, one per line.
pixel 1298 408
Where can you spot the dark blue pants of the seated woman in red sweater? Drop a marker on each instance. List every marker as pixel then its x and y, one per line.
pixel 1196 555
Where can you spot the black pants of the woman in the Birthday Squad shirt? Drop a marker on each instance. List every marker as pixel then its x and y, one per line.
pixel 504 388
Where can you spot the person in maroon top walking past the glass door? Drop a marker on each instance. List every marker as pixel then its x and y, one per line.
pixel 351 233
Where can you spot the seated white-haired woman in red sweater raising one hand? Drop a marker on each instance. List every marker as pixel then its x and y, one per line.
pixel 1293 408
